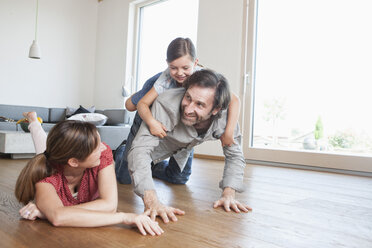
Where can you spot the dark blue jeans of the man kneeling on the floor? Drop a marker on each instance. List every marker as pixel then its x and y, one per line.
pixel 166 170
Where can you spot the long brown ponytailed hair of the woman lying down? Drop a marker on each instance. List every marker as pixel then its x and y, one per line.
pixel 67 139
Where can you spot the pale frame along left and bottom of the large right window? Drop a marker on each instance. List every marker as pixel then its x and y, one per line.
pixel 279 157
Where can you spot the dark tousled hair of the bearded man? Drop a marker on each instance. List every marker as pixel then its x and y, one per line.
pixel 210 79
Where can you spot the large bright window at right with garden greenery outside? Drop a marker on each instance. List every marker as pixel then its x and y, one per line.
pixel 310 77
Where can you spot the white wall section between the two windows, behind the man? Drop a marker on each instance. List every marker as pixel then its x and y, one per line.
pixel 220 47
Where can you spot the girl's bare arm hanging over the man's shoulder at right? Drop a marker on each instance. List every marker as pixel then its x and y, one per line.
pixel 227 139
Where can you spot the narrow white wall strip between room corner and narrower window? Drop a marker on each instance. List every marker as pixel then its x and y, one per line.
pixel 111 53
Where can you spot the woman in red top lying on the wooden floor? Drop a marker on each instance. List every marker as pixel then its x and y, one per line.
pixel 73 181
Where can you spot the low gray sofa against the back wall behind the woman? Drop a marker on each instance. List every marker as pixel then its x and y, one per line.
pixel 112 133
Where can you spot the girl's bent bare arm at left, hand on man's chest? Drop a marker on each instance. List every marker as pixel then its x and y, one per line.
pixel 143 107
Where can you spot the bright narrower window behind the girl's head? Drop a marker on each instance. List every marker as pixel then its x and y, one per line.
pixel 158 23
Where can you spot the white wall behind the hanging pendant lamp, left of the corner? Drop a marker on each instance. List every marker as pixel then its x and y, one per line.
pixel 67 37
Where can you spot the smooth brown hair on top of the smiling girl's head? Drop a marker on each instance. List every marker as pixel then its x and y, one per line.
pixel 180 47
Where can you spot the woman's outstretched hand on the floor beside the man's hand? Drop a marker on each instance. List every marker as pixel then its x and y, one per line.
pixel 144 223
